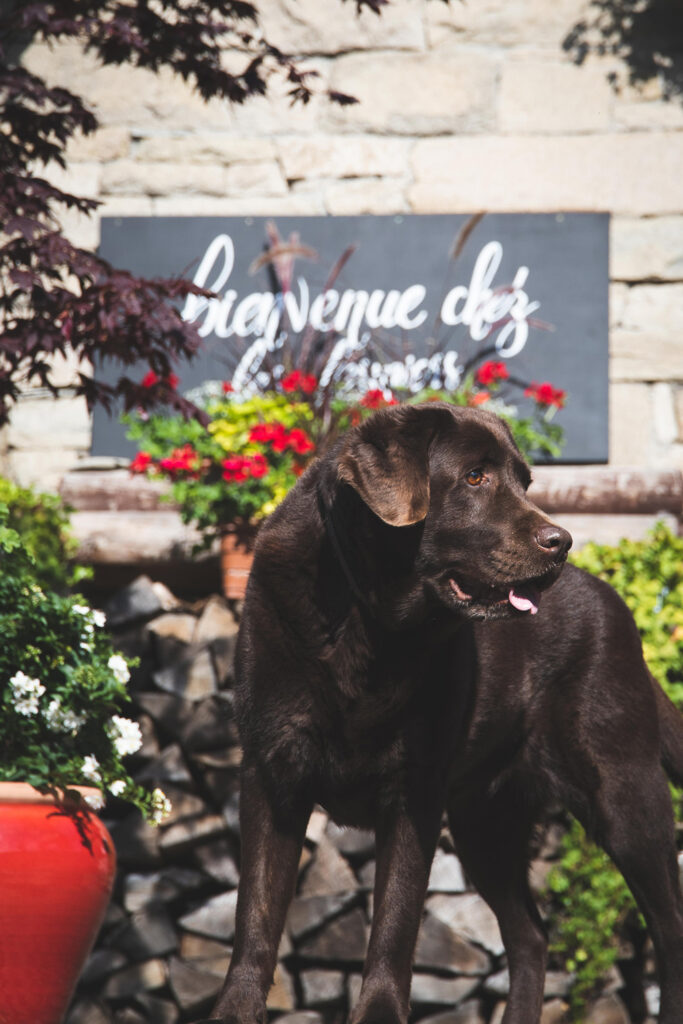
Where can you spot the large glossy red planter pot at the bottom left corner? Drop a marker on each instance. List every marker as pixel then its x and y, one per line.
pixel 57 871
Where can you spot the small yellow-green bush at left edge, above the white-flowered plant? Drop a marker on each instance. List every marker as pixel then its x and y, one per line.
pixel 42 524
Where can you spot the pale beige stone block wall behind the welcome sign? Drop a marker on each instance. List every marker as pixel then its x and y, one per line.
pixel 462 108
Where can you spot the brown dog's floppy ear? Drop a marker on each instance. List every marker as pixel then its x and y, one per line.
pixel 386 460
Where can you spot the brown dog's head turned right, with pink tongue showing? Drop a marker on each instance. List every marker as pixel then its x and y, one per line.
pixel 485 549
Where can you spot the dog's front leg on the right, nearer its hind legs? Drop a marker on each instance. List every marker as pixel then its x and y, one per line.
pixel 406 843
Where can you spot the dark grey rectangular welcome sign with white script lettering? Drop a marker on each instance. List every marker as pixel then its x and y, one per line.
pixel 532 288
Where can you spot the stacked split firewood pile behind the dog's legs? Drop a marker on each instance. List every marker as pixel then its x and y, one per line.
pixel 166 943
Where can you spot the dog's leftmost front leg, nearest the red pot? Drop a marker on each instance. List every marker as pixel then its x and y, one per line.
pixel 272 844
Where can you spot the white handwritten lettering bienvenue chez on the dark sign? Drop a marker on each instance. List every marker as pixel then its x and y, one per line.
pixel 484 309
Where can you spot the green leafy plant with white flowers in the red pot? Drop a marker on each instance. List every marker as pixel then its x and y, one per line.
pixel 62 688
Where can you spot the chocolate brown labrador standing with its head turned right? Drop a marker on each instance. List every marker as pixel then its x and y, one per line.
pixel 410 644
